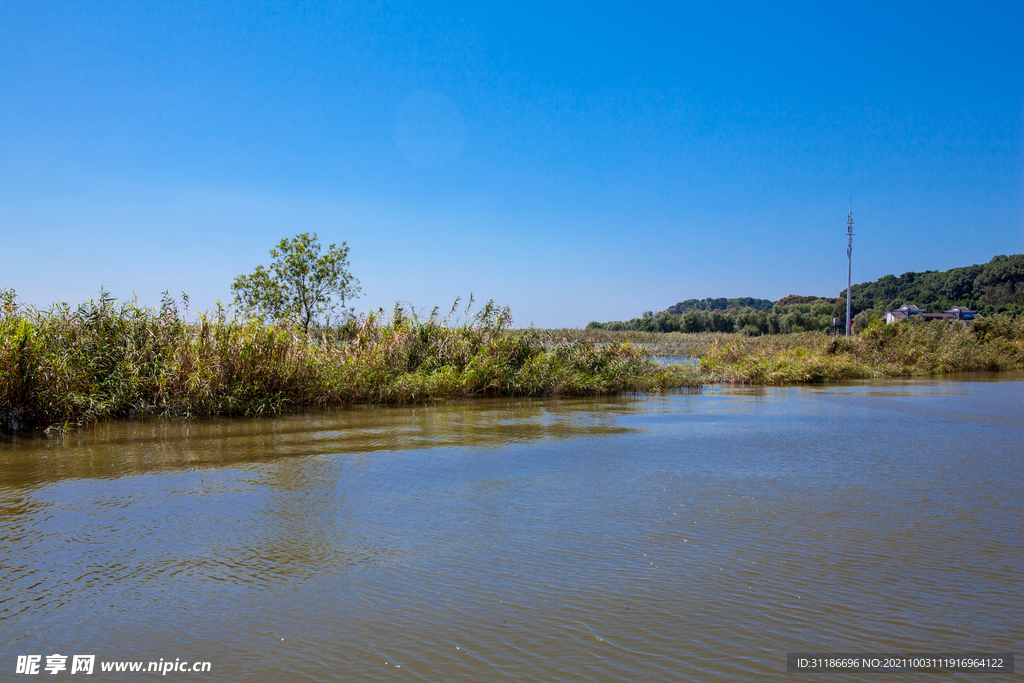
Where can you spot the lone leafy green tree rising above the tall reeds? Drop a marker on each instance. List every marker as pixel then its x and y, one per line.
pixel 302 284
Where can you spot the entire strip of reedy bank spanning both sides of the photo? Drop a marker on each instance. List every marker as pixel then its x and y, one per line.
pixel 110 360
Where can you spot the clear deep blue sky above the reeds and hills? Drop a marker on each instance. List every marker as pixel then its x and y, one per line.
pixel 576 162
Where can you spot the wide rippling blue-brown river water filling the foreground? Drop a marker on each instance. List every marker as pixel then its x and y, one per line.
pixel 688 537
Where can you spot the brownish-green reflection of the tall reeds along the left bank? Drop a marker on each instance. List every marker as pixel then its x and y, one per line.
pixel 126 448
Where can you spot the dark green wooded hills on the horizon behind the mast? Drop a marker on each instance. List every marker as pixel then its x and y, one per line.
pixel 991 288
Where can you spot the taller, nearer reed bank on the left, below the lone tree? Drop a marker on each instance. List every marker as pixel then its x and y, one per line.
pixel 111 360
